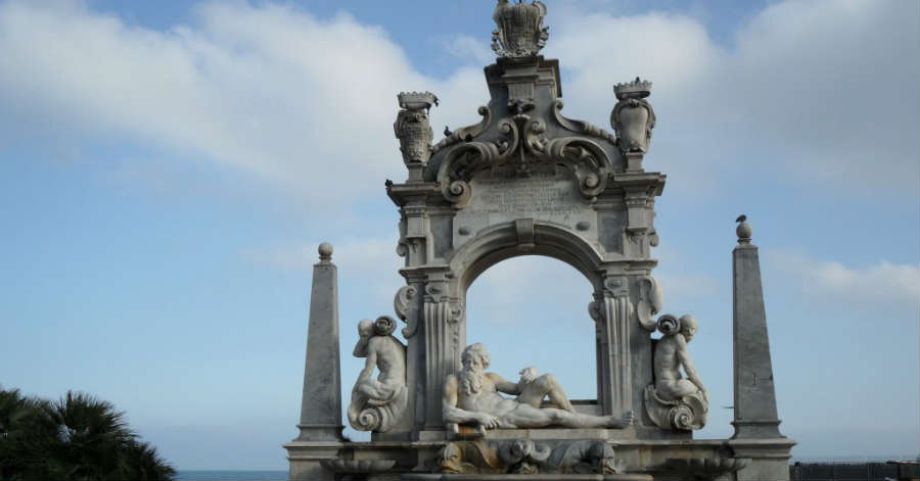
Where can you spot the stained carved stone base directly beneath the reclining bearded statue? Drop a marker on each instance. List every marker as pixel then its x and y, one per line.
pixel 524 456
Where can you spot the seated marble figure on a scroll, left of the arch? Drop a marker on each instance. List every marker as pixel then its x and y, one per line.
pixel 379 404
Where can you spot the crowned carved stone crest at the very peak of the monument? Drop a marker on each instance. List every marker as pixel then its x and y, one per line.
pixel 519 29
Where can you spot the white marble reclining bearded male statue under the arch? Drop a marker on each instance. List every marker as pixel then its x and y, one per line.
pixel 471 396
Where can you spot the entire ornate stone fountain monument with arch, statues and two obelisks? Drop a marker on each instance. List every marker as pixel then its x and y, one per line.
pixel 526 180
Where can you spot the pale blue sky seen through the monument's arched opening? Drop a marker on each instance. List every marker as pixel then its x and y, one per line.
pixel 532 311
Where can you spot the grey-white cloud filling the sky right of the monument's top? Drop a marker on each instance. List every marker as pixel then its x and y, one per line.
pixel 823 90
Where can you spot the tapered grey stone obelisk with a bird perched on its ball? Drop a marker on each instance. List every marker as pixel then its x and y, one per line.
pixel 755 398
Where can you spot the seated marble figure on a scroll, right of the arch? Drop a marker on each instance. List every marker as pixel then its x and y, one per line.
pixel 673 402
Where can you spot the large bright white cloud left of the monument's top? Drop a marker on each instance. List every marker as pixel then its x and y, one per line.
pixel 267 90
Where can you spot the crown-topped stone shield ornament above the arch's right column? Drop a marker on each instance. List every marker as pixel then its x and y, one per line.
pixel 633 117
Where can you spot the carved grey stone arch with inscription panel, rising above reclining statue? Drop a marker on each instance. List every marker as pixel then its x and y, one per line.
pixel 524 180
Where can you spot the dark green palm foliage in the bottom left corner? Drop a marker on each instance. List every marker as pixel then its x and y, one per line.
pixel 77 438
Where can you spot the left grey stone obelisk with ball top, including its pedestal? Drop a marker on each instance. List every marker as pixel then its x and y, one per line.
pixel 320 424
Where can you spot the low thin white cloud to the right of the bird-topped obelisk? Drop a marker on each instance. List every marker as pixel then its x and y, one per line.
pixel 882 282
